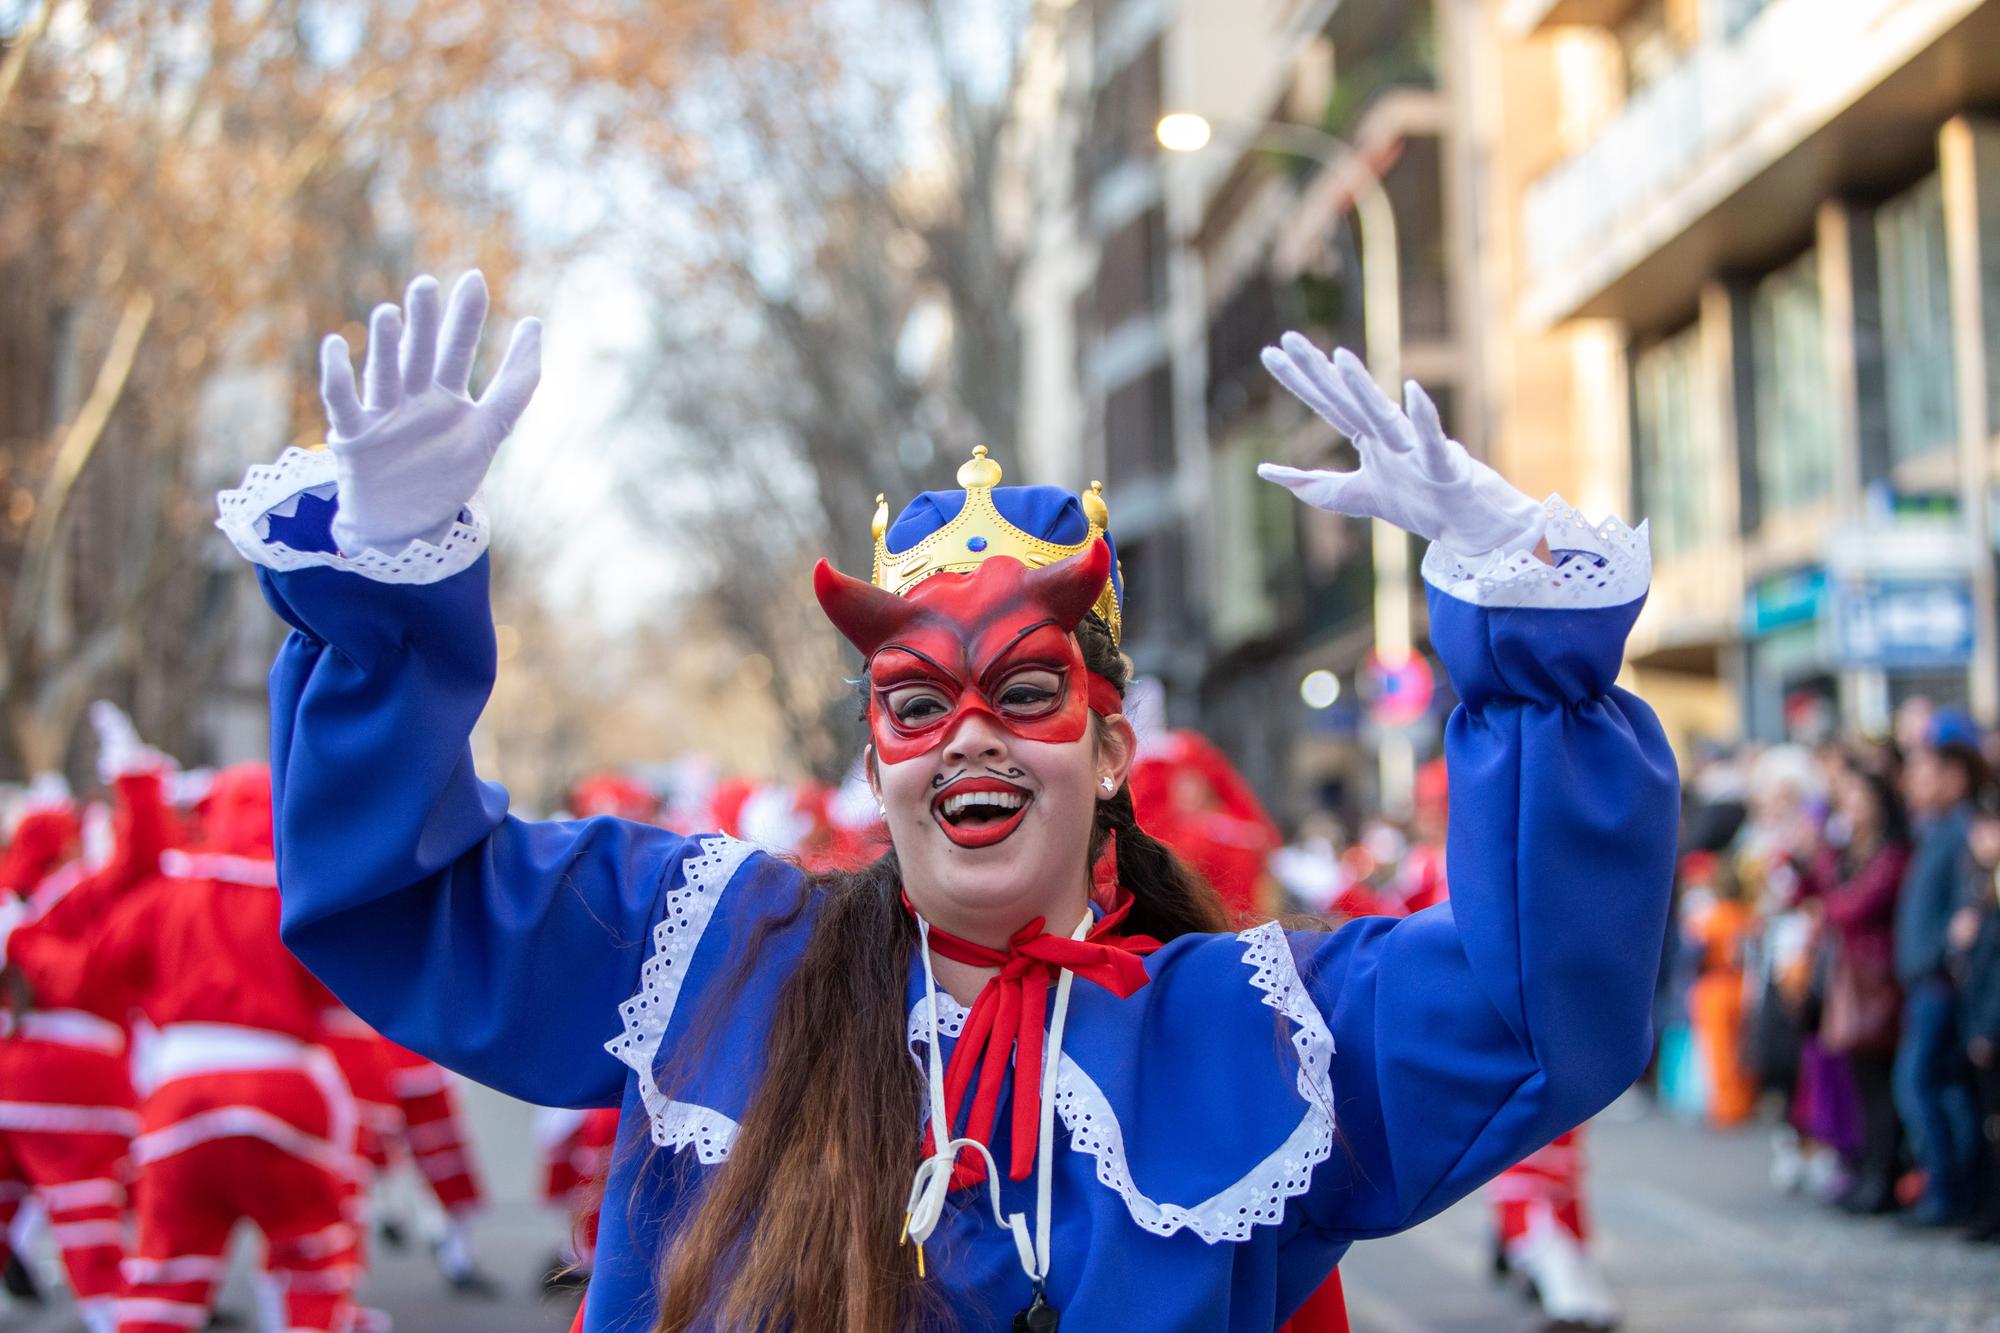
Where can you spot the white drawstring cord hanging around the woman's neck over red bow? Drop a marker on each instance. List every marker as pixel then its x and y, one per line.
pixel 935 1174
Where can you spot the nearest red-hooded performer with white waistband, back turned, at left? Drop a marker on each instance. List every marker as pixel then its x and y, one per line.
pixel 247 1118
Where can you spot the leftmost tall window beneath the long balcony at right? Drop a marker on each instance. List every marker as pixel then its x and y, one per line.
pixel 1679 453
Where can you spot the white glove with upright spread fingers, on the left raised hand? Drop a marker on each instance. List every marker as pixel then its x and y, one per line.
pixel 415 447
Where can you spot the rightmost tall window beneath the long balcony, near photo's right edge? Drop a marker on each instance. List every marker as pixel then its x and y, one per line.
pixel 1917 323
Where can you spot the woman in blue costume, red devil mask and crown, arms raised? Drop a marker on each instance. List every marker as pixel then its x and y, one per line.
pixel 1149 1122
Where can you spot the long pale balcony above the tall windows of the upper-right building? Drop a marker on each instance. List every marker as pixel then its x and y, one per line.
pixel 1721 163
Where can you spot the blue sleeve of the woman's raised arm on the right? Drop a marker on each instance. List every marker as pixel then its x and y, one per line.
pixel 1477 1032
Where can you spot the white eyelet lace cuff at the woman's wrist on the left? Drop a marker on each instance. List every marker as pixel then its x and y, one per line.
pixel 275 489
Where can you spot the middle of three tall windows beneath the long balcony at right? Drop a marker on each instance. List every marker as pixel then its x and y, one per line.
pixel 1795 411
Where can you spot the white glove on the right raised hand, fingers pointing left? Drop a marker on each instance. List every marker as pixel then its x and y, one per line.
pixel 1411 475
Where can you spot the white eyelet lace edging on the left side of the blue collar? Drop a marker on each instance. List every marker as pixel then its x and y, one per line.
pixel 675 938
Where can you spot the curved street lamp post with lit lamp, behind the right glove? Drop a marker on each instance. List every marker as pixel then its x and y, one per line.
pixel 1383 349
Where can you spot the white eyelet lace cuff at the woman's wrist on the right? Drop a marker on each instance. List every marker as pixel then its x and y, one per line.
pixel 1597 565
